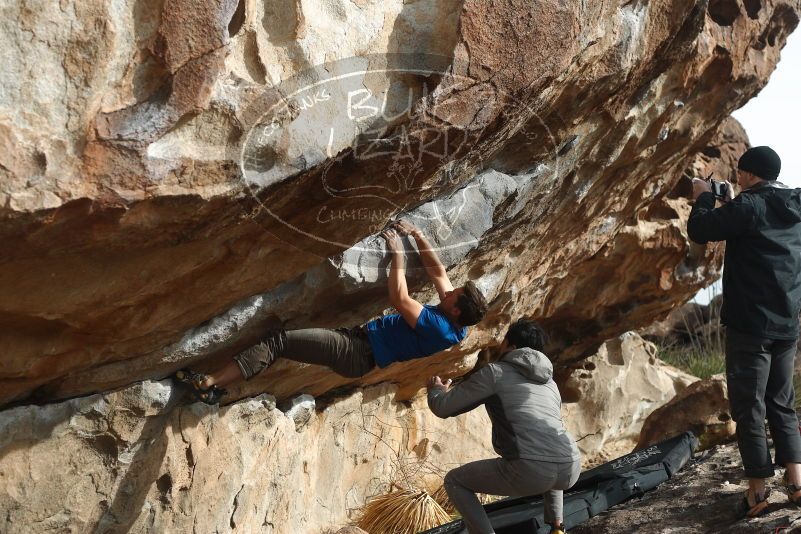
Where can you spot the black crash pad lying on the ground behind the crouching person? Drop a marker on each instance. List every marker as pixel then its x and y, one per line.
pixel 596 490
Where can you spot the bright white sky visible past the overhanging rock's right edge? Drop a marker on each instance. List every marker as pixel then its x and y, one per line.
pixel 773 118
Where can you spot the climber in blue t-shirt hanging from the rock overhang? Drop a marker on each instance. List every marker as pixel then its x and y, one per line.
pixel 416 331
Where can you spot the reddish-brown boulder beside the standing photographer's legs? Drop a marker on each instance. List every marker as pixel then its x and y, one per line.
pixel 703 407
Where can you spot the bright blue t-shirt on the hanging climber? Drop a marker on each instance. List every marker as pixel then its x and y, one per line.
pixel 393 340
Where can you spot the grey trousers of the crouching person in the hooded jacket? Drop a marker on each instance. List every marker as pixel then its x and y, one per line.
pixel 510 478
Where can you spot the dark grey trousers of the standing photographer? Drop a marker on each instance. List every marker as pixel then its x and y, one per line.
pixel 759 374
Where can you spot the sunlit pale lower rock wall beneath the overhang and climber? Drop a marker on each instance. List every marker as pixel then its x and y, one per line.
pixel 138 461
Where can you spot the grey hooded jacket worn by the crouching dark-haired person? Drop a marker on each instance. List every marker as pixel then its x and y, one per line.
pixel 523 403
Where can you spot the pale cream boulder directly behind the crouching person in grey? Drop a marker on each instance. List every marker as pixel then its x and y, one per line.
pixel 607 400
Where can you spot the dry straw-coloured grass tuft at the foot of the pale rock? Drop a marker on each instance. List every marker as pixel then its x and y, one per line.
pixel 402 512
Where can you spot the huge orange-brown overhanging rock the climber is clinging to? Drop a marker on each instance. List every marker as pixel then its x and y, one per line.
pixel 185 176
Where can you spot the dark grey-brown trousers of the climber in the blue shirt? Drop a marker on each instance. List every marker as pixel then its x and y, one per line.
pixel 346 351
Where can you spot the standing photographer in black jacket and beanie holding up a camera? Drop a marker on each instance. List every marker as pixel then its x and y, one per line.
pixel 761 303
